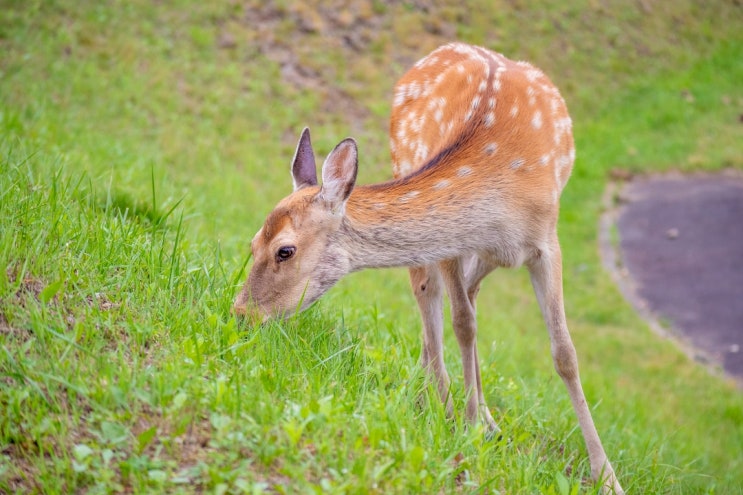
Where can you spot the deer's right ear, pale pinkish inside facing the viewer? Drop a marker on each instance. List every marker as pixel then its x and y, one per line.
pixel 339 174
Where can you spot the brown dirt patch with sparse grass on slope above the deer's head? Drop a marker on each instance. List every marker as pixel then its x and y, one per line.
pixel 338 49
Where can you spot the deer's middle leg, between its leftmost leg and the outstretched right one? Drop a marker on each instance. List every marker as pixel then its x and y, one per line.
pixel 465 329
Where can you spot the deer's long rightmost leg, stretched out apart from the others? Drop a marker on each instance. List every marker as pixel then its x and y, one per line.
pixel 546 277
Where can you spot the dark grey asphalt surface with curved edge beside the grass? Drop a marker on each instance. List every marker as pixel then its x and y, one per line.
pixel 681 242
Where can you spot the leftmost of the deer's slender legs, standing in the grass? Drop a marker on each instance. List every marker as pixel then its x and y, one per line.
pixel 428 290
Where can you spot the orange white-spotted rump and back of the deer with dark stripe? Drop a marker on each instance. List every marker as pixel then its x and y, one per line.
pixel 505 121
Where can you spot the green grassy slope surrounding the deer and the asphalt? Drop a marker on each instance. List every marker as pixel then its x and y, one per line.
pixel 141 146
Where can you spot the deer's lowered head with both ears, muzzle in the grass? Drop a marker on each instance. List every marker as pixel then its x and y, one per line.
pixel 297 255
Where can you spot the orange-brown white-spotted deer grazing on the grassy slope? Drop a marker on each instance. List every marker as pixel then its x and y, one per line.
pixel 481 149
